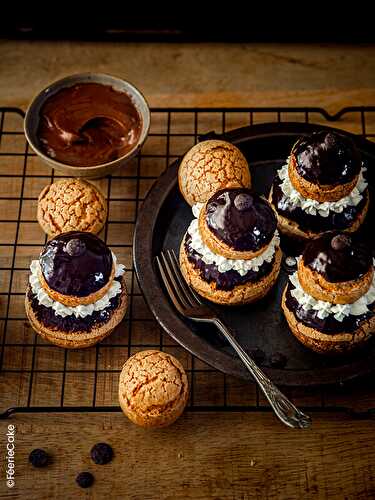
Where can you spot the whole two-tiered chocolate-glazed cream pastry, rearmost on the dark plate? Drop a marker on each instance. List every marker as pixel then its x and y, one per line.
pixel 321 188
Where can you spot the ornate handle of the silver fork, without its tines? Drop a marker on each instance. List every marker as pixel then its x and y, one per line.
pixel 284 409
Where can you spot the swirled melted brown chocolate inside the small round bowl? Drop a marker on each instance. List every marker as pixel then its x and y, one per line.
pixel 88 124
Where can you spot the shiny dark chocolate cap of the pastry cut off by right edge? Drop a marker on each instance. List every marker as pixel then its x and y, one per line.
pixel 338 257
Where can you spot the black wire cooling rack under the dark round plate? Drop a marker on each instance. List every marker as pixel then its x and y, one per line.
pixel 36 376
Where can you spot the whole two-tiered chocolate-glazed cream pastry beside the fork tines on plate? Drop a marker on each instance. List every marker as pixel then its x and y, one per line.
pixel 230 253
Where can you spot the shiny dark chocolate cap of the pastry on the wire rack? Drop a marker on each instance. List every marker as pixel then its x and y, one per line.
pixel 76 263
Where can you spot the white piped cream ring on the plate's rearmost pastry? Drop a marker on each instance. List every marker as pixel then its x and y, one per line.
pixel 293 199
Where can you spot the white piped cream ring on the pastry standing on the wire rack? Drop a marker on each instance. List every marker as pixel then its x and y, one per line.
pixel 80 311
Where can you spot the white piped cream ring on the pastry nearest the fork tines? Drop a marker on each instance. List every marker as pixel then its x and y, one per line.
pixel 223 264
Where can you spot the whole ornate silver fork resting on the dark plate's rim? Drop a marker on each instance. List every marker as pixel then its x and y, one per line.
pixel 189 305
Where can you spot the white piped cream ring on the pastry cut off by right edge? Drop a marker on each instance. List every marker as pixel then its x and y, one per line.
pixel 324 309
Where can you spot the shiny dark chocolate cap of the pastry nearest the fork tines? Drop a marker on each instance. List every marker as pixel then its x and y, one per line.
pixel 241 219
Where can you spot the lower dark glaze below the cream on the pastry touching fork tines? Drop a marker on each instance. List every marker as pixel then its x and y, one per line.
pixel 229 279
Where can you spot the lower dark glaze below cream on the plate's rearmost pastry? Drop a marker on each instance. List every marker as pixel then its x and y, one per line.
pixel 317 223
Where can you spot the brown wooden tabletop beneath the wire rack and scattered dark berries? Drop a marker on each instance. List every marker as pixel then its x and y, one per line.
pixel 234 455
